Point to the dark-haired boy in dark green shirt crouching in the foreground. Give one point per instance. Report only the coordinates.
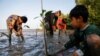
(79, 20)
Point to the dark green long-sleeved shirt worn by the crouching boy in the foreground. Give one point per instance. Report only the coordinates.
(80, 36)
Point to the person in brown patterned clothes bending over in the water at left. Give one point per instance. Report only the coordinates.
(14, 24)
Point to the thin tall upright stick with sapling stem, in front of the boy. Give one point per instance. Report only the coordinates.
(45, 43)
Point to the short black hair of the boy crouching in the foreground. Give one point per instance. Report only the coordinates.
(79, 10)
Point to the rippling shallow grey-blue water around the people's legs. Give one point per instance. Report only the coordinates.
(33, 46)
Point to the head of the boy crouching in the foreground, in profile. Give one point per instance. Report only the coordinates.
(78, 15)
